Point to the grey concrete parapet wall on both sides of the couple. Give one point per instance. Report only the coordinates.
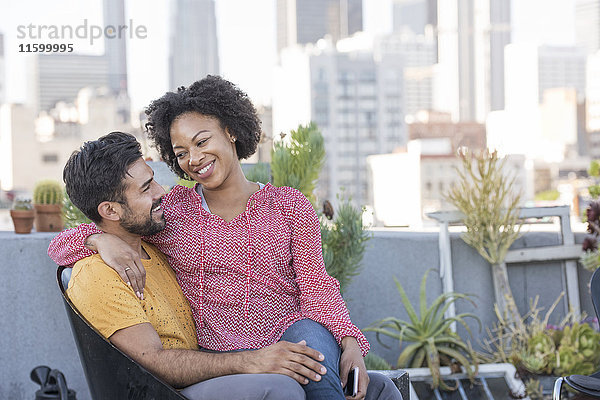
(35, 329)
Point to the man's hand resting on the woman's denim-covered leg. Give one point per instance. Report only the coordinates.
(295, 360)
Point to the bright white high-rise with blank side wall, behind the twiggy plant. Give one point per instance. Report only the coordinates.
(545, 88)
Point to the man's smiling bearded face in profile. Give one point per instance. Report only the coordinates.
(142, 214)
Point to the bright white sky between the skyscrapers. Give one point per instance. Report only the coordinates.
(246, 34)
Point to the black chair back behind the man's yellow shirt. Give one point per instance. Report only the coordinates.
(110, 373)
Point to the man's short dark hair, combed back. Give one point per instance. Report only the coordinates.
(96, 172)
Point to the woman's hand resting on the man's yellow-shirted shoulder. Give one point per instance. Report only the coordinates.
(122, 258)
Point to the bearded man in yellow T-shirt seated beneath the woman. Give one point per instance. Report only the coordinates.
(110, 183)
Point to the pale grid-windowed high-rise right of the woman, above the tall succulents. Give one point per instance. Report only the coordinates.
(356, 101)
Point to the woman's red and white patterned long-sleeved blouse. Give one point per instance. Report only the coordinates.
(249, 279)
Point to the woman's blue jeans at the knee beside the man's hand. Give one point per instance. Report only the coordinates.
(319, 338)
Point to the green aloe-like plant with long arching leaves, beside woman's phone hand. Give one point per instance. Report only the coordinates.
(432, 342)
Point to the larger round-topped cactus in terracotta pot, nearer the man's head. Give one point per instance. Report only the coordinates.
(47, 201)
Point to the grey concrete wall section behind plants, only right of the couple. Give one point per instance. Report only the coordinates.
(372, 295)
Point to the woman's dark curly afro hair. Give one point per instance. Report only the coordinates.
(212, 96)
